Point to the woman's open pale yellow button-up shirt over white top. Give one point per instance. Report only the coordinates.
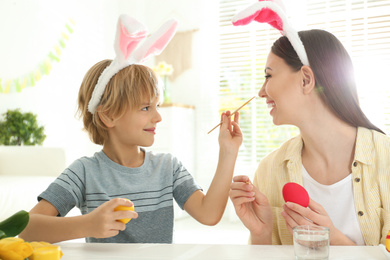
(370, 177)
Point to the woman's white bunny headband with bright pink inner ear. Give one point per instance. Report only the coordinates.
(271, 12)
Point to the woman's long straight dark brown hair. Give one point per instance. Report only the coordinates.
(333, 71)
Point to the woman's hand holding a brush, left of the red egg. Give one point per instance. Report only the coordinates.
(253, 208)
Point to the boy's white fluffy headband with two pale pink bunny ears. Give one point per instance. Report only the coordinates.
(129, 34)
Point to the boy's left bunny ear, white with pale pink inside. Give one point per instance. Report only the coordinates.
(129, 33)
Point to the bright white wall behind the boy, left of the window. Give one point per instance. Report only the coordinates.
(30, 29)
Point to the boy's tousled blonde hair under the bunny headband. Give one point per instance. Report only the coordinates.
(126, 90)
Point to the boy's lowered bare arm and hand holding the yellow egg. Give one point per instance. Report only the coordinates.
(44, 225)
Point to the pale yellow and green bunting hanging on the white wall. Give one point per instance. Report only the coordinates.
(18, 83)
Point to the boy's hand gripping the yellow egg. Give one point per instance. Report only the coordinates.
(105, 222)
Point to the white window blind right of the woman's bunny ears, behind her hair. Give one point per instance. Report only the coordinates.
(363, 26)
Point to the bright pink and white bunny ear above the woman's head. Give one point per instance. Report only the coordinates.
(262, 12)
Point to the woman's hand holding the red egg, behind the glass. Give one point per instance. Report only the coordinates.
(313, 215)
